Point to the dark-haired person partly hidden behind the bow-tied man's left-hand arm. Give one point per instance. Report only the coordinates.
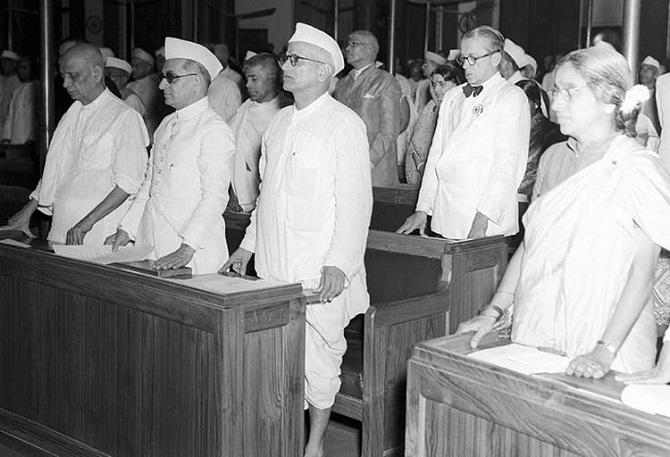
(444, 78)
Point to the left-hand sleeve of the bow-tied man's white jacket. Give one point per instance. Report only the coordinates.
(428, 190)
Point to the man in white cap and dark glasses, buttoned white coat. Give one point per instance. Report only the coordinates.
(179, 206)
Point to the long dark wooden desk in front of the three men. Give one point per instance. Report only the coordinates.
(133, 365)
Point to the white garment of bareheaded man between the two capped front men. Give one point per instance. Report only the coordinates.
(248, 125)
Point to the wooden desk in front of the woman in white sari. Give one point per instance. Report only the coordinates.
(461, 407)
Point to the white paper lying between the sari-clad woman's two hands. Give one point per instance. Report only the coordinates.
(523, 359)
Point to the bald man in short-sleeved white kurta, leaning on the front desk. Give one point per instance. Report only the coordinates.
(96, 159)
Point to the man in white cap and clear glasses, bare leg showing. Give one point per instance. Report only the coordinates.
(312, 216)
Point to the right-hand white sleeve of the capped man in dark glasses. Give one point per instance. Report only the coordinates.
(215, 165)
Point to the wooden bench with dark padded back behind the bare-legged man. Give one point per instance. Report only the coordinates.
(420, 288)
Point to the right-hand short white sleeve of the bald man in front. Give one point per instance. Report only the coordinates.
(130, 153)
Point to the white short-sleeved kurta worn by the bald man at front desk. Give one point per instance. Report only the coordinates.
(94, 148)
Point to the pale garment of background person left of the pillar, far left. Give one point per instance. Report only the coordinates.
(21, 123)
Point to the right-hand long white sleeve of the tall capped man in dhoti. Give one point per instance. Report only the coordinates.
(353, 200)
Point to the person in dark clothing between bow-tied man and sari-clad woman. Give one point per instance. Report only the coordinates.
(543, 133)
